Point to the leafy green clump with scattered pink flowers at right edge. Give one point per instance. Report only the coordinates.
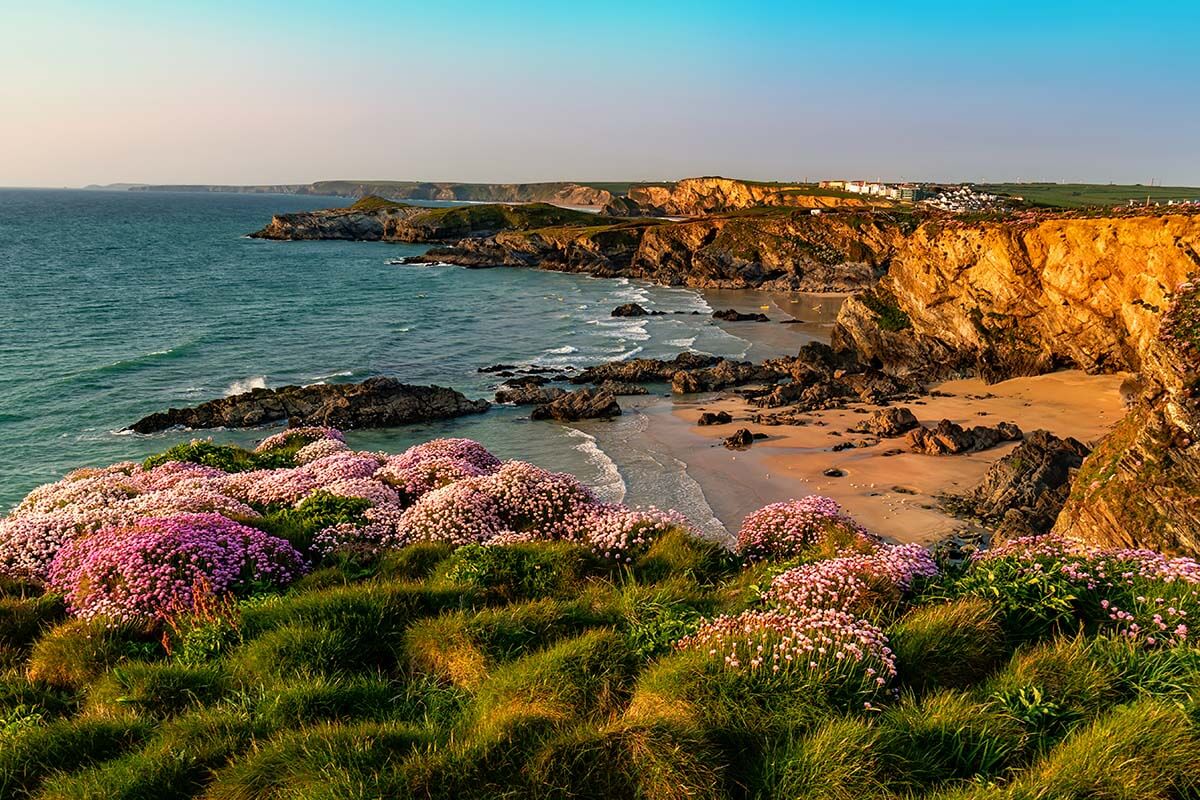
(1139, 594)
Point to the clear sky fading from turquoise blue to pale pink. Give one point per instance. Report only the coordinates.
(280, 93)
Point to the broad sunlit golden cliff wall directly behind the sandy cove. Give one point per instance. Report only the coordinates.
(1005, 299)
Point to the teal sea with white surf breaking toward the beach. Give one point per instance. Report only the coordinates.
(115, 305)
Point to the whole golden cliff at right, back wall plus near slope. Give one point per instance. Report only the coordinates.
(1107, 294)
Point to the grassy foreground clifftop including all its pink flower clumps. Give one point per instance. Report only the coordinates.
(470, 629)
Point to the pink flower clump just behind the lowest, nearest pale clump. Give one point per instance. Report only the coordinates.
(856, 585)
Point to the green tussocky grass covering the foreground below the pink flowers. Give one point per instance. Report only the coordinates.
(536, 671)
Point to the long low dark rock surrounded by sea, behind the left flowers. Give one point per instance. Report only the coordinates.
(374, 404)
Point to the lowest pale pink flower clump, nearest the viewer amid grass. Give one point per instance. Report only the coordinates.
(819, 648)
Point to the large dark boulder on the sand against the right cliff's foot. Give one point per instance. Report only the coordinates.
(1025, 491)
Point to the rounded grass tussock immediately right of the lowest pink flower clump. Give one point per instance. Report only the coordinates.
(955, 645)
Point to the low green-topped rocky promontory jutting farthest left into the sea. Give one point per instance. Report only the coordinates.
(374, 219)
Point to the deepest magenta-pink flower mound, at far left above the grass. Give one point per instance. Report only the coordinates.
(137, 573)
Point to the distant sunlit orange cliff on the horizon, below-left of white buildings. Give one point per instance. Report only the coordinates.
(700, 196)
